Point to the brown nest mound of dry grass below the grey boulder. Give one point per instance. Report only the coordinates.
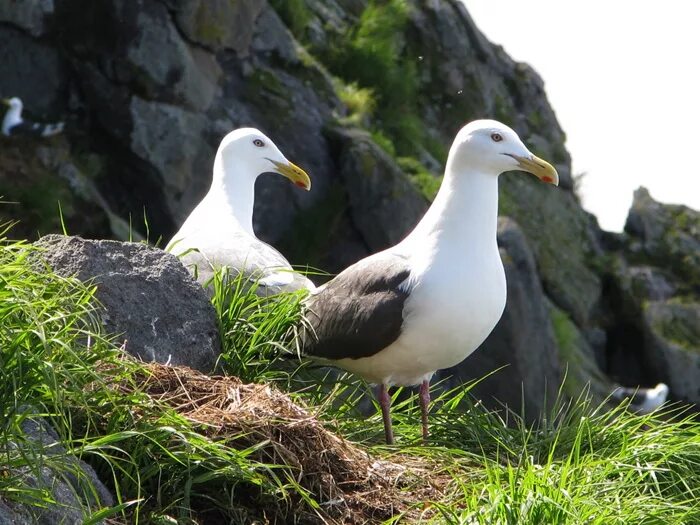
(351, 486)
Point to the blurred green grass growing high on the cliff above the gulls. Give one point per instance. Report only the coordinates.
(376, 79)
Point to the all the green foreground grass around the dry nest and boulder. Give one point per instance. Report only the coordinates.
(580, 464)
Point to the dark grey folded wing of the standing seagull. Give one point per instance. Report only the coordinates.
(359, 312)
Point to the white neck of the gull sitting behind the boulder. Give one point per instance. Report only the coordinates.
(235, 194)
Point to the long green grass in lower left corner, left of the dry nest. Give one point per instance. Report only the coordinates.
(55, 364)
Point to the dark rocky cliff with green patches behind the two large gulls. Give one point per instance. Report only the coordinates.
(367, 97)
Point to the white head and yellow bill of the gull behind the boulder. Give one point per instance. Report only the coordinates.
(249, 152)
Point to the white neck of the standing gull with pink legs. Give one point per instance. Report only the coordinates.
(464, 212)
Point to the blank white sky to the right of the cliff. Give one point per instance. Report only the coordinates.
(623, 77)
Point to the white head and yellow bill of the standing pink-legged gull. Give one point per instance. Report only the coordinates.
(489, 146)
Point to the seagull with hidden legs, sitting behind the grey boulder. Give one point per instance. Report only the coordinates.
(219, 231)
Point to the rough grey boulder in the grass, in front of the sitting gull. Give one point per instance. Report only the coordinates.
(147, 296)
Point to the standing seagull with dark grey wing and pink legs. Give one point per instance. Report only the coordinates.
(398, 316)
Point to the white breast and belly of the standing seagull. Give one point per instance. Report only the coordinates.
(454, 304)
